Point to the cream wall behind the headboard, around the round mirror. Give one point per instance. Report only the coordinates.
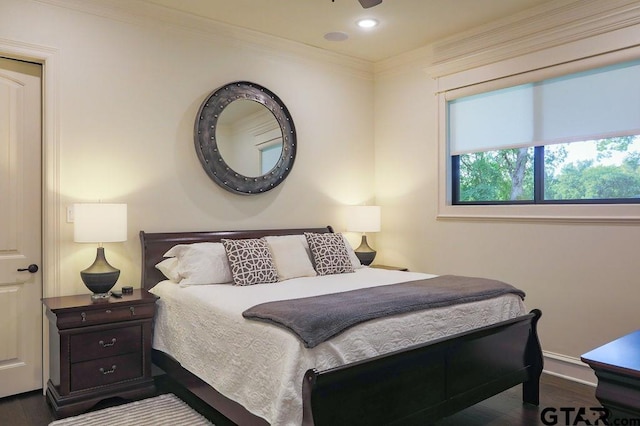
(128, 88)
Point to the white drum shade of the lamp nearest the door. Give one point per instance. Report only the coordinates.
(99, 223)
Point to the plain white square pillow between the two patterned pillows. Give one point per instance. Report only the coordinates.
(291, 257)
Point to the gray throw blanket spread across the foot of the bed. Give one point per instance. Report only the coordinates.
(318, 318)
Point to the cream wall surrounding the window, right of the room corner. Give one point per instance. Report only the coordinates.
(582, 275)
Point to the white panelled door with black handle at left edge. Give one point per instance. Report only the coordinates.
(20, 227)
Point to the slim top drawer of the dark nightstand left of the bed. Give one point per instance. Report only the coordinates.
(107, 315)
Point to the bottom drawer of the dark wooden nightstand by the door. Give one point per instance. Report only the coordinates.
(105, 371)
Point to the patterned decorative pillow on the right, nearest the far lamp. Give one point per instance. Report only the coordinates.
(330, 255)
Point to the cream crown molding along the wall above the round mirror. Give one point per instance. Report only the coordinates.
(142, 13)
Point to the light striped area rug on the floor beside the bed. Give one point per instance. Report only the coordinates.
(163, 410)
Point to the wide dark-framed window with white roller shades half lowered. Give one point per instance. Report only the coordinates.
(570, 139)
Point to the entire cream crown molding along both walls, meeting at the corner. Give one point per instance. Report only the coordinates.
(542, 27)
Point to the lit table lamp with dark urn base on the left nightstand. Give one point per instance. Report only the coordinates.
(100, 223)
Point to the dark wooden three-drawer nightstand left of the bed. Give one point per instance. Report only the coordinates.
(99, 350)
